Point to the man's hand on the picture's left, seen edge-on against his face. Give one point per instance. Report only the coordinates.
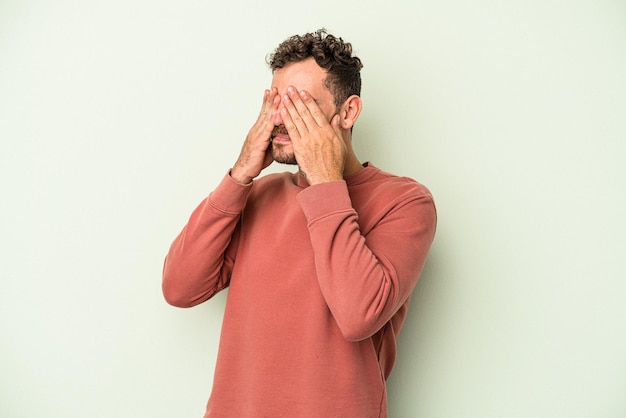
(256, 153)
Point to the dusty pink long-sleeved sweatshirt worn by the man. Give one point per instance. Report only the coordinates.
(319, 281)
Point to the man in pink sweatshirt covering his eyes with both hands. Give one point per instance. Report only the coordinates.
(320, 263)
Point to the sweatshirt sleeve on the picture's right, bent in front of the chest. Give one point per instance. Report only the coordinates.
(366, 279)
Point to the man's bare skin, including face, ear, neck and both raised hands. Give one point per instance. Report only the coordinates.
(300, 123)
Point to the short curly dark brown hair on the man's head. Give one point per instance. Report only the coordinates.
(331, 53)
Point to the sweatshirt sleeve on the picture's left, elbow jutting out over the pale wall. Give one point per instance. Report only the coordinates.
(200, 260)
